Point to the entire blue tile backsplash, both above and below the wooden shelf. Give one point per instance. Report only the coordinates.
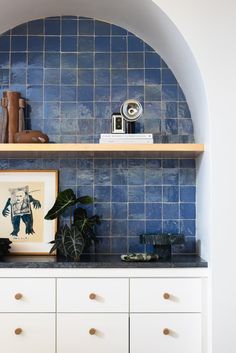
(74, 73)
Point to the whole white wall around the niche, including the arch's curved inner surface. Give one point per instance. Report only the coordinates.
(209, 54)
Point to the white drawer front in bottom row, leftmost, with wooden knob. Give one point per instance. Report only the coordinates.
(37, 336)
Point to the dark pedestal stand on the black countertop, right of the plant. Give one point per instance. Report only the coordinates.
(162, 243)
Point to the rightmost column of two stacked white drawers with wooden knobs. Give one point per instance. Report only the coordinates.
(165, 315)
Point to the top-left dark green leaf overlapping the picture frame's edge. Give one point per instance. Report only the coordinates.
(64, 200)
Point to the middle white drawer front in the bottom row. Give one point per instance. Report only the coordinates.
(100, 333)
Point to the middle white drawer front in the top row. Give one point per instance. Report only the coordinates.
(92, 295)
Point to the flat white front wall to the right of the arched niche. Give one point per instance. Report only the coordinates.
(209, 28)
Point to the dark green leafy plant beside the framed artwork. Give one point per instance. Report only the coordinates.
(72, 239)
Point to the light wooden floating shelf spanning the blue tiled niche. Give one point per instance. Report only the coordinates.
(180, 149)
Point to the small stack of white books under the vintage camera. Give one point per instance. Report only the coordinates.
(126, 138)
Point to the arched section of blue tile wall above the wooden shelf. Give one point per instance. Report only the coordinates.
(75, 72)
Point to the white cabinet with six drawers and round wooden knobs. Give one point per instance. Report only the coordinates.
(103, 310)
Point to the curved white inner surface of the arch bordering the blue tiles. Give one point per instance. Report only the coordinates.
(150, 23)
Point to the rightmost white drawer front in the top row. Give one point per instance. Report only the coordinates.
(165, 295)
